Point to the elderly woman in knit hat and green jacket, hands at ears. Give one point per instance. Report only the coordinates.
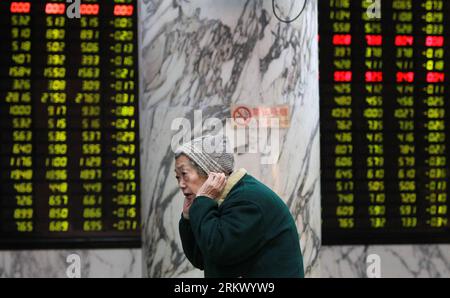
(232, 225)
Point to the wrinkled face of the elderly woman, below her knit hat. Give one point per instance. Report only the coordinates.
(188, 179)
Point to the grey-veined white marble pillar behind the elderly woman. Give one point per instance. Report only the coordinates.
(207, 55)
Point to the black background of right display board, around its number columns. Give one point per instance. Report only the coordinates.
(393, 232)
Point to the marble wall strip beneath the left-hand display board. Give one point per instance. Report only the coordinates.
(117, 263)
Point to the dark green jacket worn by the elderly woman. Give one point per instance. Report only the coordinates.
(250, 234)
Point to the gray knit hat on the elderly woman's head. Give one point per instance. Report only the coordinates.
(211, 153)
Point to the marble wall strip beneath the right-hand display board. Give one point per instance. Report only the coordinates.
(397, 261)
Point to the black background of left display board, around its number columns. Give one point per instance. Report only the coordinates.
(75, 237)
